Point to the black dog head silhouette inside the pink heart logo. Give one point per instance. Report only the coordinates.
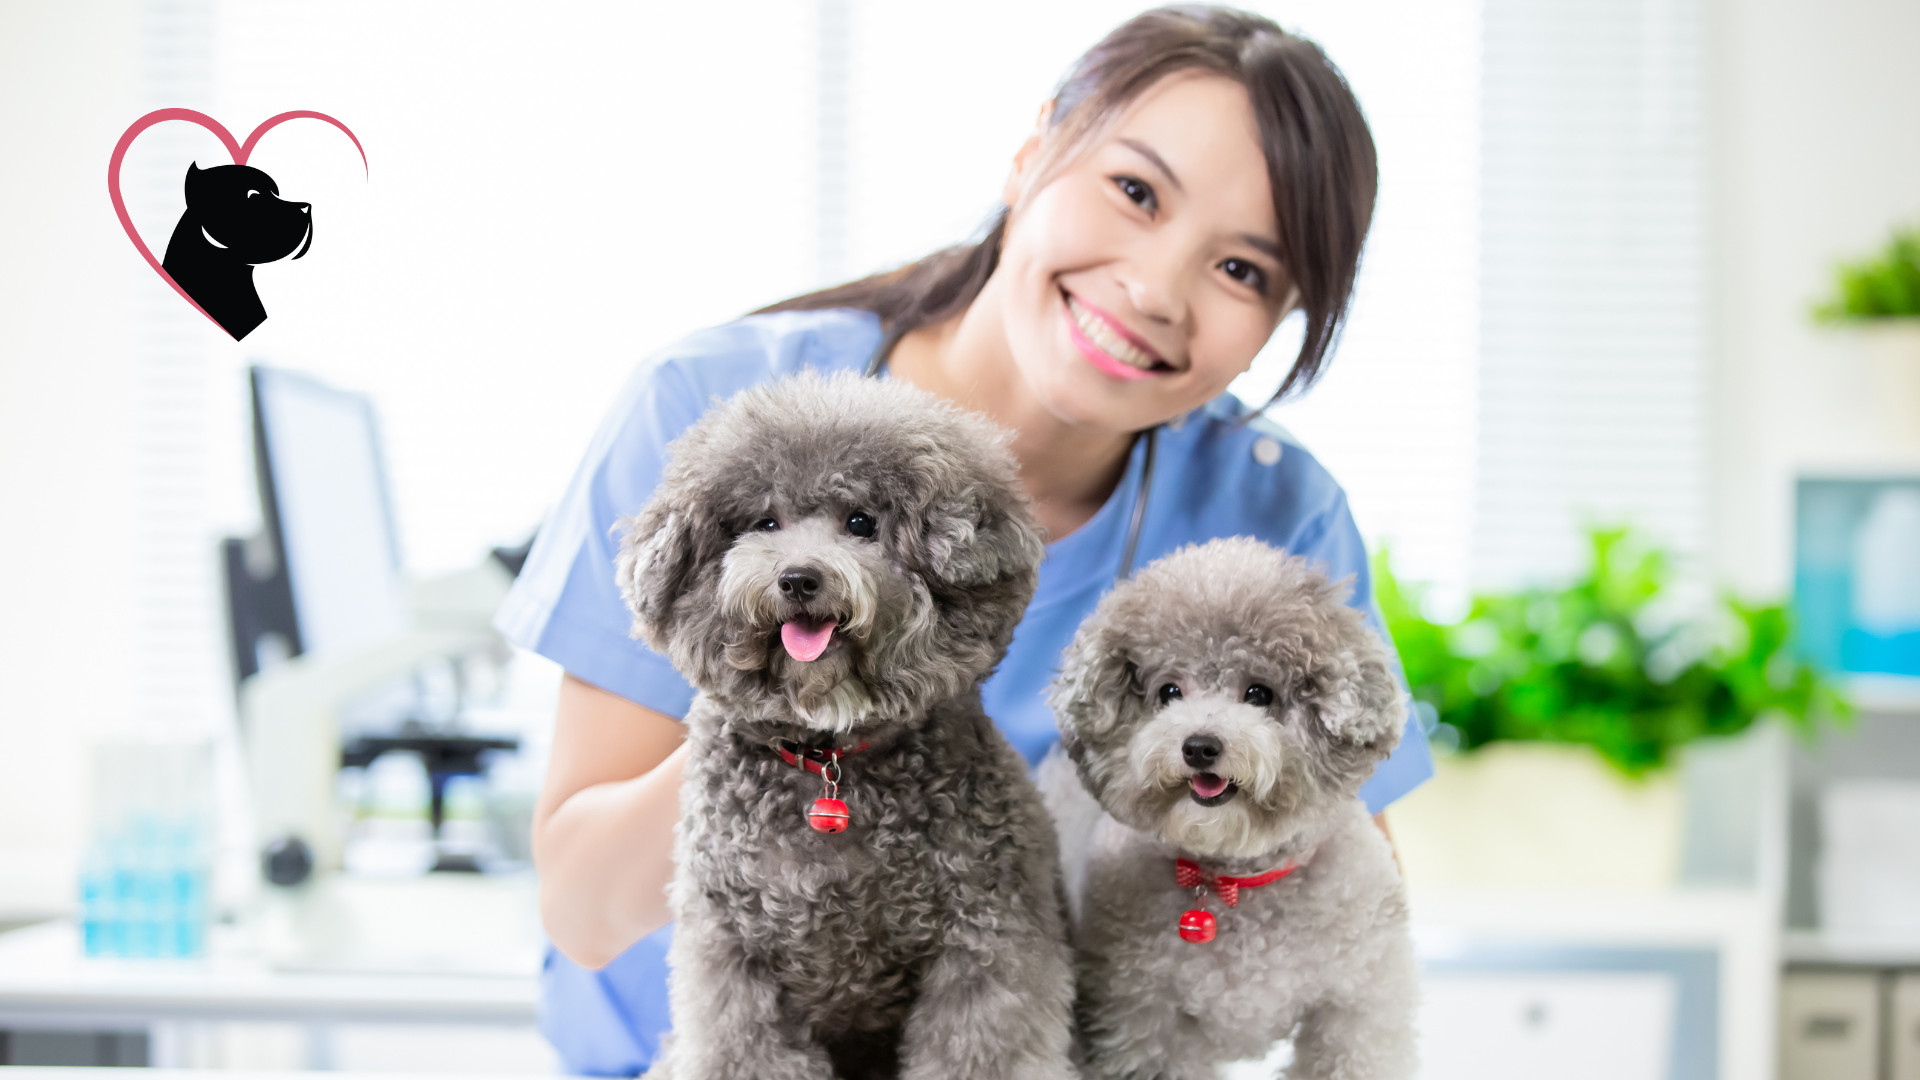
(235, 220)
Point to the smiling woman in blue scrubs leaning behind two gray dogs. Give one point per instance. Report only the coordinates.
(1197, 178)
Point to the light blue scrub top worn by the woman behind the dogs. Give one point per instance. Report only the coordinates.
(1212, 478)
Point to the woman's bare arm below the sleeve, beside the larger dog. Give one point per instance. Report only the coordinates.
(604, 827)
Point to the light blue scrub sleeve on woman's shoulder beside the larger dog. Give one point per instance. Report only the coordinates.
(565, 604)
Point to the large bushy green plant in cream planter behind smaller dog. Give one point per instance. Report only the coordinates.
(1560, 716)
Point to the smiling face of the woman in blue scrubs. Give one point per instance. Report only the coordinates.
(1141, 278)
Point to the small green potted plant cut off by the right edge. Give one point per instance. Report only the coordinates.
(1879, 301)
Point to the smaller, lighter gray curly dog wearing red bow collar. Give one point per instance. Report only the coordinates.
(1224, 708)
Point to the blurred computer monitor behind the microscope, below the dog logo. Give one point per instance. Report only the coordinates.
(325, 572)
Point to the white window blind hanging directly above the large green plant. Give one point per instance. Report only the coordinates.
(1593, 282)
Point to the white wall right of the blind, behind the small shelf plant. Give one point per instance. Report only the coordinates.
(1817, 155)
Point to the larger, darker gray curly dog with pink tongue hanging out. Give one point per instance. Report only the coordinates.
(838, 564)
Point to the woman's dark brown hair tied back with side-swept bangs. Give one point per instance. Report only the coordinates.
(1320, 164)
